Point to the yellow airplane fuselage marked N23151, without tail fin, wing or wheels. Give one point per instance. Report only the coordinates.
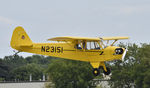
(67, 51)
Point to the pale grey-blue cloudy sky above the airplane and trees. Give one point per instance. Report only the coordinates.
(43, 19)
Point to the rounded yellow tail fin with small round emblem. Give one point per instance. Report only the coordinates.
(20, 39)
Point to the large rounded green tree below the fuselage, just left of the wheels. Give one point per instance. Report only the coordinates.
(70, 74)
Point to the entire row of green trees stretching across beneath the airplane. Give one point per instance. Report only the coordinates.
(133, 72)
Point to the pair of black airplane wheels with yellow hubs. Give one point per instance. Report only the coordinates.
(96, 71)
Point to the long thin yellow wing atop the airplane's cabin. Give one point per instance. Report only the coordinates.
(69, 38)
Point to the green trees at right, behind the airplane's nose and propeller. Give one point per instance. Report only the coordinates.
(135, 70)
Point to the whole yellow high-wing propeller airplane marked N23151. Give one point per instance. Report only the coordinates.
(92, 50)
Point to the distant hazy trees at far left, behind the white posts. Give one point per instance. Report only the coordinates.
(18, 68)
